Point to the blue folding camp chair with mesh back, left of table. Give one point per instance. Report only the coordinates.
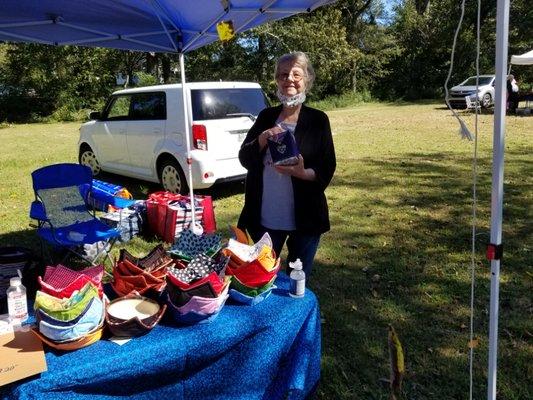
(64, 219)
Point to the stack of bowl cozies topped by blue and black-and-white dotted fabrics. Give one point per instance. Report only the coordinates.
(196, 288)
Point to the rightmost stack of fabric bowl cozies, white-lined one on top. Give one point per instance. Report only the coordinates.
(253, 269)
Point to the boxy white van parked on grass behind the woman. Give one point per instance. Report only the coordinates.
(141, 133)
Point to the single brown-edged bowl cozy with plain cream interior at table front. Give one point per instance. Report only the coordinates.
(133, 315)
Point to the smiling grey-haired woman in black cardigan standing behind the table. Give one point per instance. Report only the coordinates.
(288, 202)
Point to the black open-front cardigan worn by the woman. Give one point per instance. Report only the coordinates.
(313, 136)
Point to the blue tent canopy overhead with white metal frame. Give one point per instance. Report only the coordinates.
(142, 25)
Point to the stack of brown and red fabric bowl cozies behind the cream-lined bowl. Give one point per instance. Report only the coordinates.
(145, 276)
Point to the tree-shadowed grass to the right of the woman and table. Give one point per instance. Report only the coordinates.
(406, 260)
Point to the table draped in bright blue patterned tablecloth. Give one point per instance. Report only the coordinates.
(267, 351)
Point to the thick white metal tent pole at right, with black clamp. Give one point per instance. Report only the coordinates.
(502, 33)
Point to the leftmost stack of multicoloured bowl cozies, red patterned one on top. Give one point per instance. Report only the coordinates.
(70, 307)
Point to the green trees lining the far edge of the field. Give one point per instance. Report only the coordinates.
(363, 48)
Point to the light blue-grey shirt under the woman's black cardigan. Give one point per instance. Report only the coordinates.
(277, 207)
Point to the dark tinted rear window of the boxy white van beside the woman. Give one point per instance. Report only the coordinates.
(226, 103)
